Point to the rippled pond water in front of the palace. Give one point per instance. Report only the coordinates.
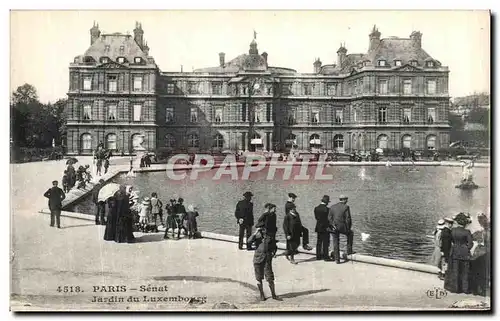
(397, 207)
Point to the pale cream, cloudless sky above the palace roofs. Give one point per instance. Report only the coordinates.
(44, 43)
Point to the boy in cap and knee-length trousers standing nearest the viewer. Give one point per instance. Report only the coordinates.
(265, 250)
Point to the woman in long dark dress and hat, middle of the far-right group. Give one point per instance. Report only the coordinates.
(457, 275)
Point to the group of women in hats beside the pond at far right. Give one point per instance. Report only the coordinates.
(463, 257)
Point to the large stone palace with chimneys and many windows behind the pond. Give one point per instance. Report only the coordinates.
(393, 96)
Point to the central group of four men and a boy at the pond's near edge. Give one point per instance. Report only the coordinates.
(334, 220)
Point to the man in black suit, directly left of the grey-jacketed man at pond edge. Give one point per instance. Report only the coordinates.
(322, 227)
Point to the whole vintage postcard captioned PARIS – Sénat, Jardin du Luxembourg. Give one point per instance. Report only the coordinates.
(250, 160)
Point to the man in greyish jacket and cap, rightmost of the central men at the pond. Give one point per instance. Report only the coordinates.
(340, 220)
